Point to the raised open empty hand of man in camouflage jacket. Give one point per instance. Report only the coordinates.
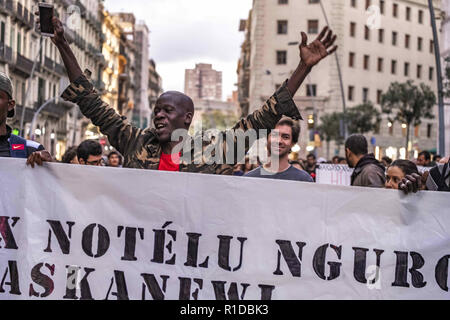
(319, 49)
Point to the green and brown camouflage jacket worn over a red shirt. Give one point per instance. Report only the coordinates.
(141, 148)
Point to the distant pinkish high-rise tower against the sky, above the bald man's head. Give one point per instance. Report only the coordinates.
(203, 82)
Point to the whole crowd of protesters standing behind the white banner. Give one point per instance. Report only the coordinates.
(154, 149)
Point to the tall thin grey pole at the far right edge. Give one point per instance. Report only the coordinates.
(437, 54)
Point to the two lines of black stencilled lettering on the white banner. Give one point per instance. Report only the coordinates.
(290, 259)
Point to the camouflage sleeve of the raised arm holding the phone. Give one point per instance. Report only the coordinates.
(120, 133)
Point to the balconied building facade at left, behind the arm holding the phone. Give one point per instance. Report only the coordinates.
(23, 50)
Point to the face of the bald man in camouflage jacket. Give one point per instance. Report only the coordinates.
(168, 117)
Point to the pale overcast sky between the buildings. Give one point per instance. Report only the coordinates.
(186, 32)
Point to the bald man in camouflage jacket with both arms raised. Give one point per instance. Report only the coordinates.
(144, 149)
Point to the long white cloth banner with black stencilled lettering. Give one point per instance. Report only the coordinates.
(71, 232)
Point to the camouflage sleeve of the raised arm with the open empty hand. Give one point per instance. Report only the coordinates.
(266, 118)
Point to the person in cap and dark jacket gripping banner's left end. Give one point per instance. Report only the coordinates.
(12, 146)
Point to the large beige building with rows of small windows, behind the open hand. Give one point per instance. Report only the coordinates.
(400, 49)
